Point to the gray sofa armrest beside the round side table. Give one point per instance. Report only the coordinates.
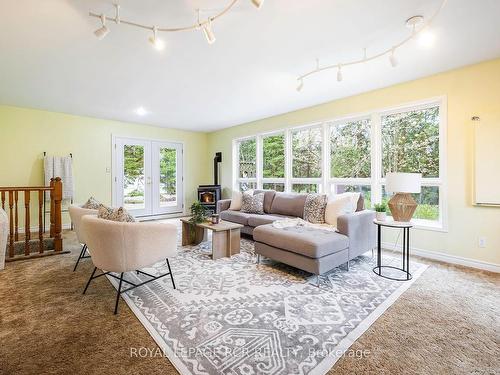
(361, 231)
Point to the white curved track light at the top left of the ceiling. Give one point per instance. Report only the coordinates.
(205, 26)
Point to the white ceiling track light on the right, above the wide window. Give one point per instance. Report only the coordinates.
(418, 28)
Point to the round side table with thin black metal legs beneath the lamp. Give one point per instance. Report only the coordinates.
(406, 248)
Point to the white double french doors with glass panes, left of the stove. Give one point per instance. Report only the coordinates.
(148, 176)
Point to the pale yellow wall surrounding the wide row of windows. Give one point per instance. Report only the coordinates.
(473, 90)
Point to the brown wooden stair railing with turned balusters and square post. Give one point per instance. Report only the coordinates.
(55, 232)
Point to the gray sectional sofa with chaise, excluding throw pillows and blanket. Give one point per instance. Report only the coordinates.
(314, 250)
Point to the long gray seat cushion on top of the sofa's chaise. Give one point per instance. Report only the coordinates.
(310, 242)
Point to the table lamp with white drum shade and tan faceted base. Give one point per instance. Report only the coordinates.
(402, 204)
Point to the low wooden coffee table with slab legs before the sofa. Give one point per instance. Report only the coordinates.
(225, 237)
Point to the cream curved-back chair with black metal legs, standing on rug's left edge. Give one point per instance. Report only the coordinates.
(121, 247)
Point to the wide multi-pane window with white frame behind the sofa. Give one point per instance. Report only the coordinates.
(353, 154)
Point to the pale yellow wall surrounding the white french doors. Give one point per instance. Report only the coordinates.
(26, 133)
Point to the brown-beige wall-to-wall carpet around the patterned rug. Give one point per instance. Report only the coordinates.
(446, 323)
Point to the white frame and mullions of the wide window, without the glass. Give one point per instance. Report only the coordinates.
(375, 181)
